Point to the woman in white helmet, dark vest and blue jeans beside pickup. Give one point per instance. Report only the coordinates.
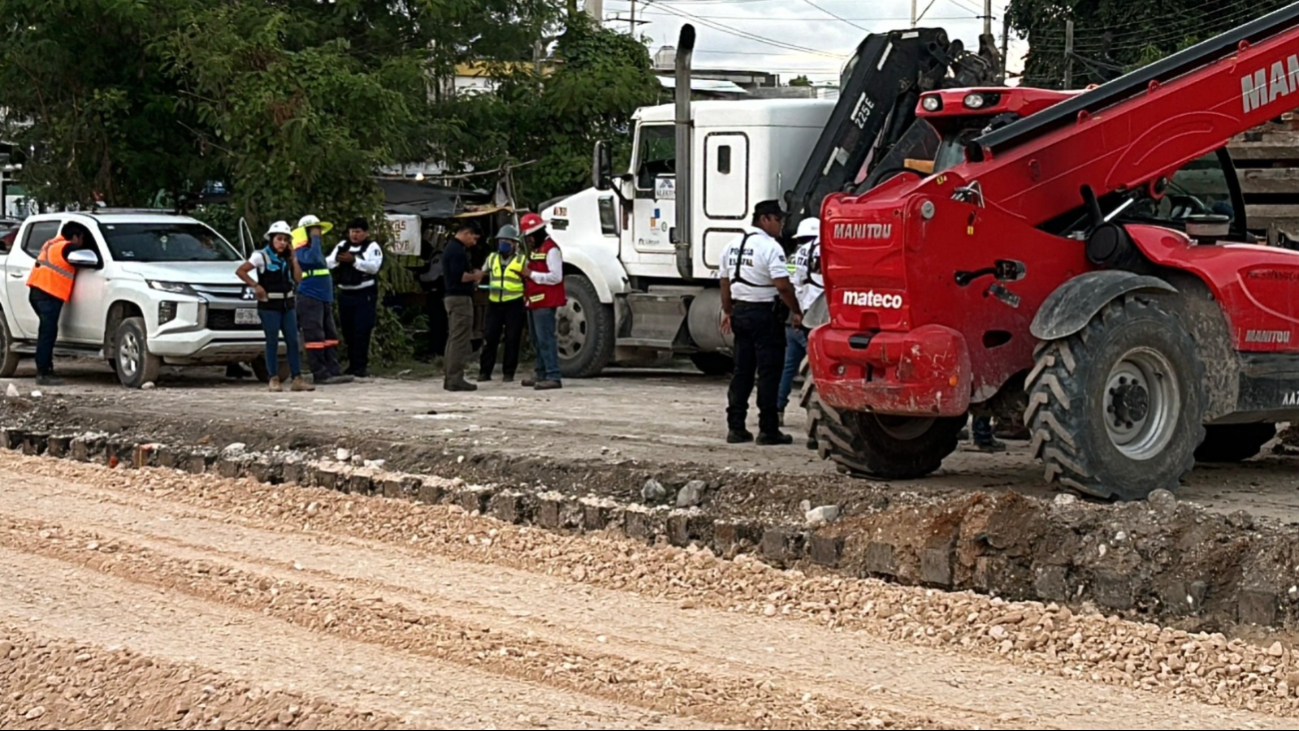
(279, 276)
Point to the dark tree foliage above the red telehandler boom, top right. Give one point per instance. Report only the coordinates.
(1113, 37)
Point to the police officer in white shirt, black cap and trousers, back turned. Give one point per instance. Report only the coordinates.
(757, 301)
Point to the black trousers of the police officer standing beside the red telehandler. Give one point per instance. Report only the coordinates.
(759, 351)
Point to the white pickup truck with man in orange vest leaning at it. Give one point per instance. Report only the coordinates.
(164, 291)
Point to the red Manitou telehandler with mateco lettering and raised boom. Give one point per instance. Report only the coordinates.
(1093, 255)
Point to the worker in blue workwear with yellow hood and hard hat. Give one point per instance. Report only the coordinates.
(316, 302)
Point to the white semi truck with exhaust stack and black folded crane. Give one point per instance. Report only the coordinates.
(641, 249)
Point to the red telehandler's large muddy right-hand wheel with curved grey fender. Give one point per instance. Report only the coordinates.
(1116, 410)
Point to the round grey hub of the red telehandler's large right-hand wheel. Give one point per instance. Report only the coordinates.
(1142, 403)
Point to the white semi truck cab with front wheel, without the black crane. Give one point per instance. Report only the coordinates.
(638, 290)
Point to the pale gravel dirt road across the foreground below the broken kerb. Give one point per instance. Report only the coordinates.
(153, 599)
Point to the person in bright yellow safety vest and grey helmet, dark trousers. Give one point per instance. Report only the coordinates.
(506, 310)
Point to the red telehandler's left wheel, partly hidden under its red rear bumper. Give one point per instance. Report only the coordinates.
(879, 446)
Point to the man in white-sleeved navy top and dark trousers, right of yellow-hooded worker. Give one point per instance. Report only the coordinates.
(355, 263)
